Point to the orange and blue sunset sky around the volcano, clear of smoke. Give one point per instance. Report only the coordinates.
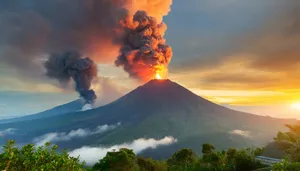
(238, 53)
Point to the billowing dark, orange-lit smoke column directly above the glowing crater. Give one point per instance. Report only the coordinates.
(144, 51)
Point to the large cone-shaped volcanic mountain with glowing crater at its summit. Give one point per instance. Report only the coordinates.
(157, 109)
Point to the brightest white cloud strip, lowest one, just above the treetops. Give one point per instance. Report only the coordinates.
(92, 154)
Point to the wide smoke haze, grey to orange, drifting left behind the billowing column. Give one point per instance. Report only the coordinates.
(34, 28)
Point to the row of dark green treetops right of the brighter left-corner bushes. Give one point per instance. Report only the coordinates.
(182, 160)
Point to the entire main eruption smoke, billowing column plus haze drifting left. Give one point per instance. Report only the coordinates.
(30, 30)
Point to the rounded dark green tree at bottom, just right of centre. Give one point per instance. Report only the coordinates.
(182, 160)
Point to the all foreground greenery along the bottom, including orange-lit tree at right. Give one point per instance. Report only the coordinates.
(44, 158)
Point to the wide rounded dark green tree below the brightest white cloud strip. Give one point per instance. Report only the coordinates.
(122, 160)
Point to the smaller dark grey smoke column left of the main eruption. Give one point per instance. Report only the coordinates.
(69, 65)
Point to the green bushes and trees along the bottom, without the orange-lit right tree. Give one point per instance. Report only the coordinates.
(46, 158)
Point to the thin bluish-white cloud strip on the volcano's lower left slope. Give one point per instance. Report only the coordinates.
(62, 136)
